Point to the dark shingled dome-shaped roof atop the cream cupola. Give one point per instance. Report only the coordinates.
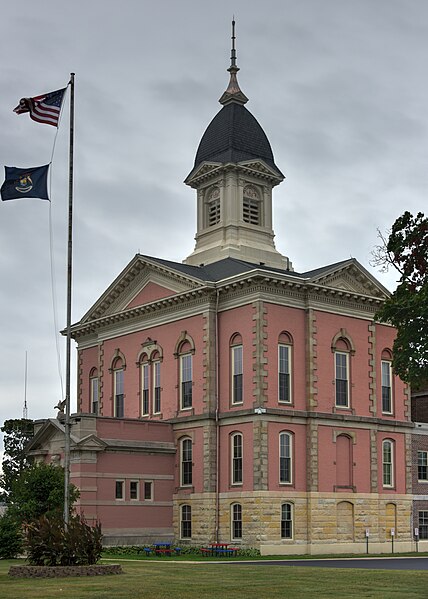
(234, 135)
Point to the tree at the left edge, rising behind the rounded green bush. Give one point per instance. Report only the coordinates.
(17, 433)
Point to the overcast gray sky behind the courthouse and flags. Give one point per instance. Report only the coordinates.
(339, 86)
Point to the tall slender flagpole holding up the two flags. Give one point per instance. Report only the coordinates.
(69, 284)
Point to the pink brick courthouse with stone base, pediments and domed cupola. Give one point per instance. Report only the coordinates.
(229, 397)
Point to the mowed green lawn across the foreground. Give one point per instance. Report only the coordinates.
(180, 580)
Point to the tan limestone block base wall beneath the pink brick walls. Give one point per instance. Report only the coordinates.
(322, 523)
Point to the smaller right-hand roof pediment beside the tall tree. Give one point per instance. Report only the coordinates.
(352, 277)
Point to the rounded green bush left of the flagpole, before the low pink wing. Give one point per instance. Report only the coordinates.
(38, 491)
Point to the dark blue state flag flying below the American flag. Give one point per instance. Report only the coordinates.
(25, 183)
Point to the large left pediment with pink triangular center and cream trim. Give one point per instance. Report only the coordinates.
(143, 281)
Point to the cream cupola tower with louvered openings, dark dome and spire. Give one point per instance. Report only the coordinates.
(234, 174)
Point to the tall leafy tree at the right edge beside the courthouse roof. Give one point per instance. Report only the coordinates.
(407, 309)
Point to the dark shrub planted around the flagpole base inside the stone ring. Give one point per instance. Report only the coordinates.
(49, 542)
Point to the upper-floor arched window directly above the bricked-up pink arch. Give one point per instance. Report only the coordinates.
(342, 348)
